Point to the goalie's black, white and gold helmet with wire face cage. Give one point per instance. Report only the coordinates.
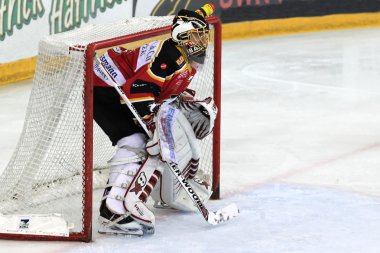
(190, 30)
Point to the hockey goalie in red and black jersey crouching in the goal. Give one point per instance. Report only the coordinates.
(154, 77)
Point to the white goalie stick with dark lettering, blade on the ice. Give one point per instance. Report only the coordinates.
(213, 218)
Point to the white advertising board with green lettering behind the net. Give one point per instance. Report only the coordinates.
(24, 22)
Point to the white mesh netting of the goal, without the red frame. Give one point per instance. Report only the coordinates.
(45, 174)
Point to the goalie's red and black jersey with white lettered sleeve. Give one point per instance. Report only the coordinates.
(151, 73)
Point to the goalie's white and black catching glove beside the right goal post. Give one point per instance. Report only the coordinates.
(201, 115)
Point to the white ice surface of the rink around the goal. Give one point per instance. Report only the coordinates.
(300, 152)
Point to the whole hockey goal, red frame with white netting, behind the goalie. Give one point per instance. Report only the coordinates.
(62, 154)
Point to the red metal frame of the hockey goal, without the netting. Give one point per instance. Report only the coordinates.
(86, 234)
